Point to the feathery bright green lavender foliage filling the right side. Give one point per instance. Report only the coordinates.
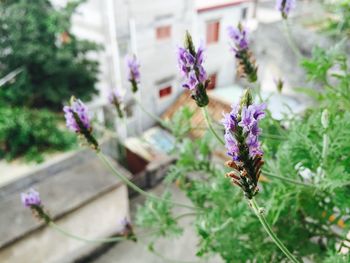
(305, 200)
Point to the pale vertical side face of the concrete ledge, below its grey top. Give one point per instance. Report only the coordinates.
(97, 219)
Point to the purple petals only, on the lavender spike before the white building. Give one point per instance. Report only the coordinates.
(191, 67)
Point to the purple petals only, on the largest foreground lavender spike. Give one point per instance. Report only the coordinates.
(248, 121)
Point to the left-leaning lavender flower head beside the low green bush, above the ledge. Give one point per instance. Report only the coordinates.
(77, 120)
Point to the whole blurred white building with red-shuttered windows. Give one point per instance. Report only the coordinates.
(152, 30)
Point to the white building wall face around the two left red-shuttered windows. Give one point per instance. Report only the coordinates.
(157, 57)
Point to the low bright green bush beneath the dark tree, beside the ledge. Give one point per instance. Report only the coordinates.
(30, 133)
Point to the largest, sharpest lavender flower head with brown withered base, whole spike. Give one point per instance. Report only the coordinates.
(242, 143)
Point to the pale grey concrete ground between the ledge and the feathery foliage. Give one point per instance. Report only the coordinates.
(182, 249)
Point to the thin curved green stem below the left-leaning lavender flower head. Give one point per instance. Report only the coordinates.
(107, 163)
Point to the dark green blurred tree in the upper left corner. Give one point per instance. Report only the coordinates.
(35, 37)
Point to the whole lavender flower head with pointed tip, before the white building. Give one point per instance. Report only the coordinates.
(191, 68)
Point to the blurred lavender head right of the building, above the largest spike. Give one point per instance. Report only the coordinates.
(246, 63)
